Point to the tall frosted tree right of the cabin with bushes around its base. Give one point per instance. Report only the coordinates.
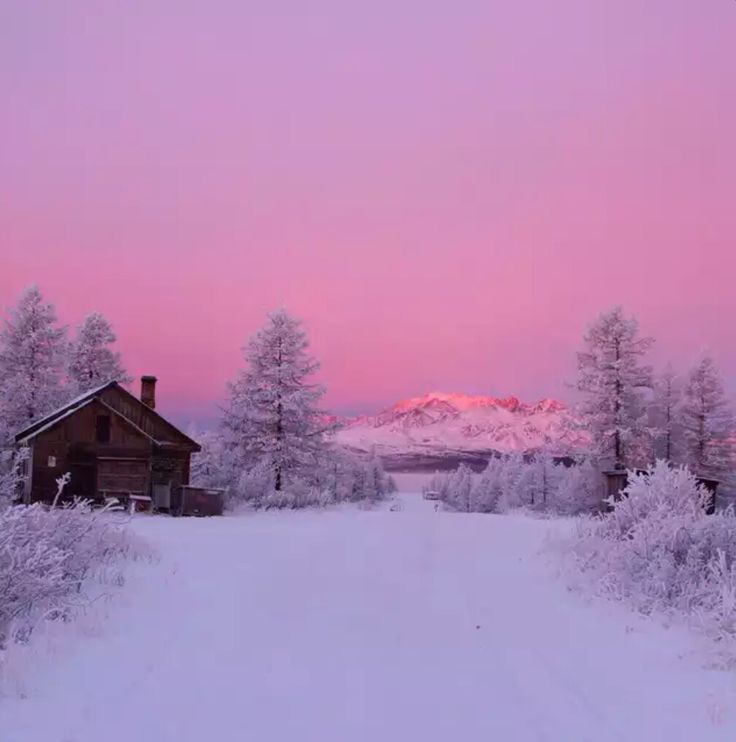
(272, 448)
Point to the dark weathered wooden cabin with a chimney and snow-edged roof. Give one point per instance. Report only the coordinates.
(112, 444)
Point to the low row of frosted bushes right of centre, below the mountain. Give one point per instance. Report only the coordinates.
(513, 481)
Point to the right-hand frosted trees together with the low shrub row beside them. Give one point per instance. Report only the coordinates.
(632, 418)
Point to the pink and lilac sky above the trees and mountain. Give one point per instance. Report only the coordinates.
(446, 193)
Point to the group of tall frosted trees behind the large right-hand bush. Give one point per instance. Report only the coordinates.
(634, 416)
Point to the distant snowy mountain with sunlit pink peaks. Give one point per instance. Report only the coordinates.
(439, 423)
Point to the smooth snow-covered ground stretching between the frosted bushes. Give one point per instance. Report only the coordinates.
(352, 626)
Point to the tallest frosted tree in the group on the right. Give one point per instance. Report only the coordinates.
(613, 378)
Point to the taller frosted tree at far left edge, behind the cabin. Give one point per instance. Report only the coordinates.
(32, 355)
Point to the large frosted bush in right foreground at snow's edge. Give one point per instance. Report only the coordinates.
(659, 550)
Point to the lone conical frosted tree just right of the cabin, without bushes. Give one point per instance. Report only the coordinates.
(272, 416)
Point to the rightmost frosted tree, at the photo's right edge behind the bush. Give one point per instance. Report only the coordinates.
(707, 421)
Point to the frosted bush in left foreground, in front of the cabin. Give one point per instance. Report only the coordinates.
(50, 559)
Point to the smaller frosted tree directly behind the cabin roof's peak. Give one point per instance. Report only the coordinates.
(92, 360)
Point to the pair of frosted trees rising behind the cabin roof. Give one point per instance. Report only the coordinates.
(41, 367)
